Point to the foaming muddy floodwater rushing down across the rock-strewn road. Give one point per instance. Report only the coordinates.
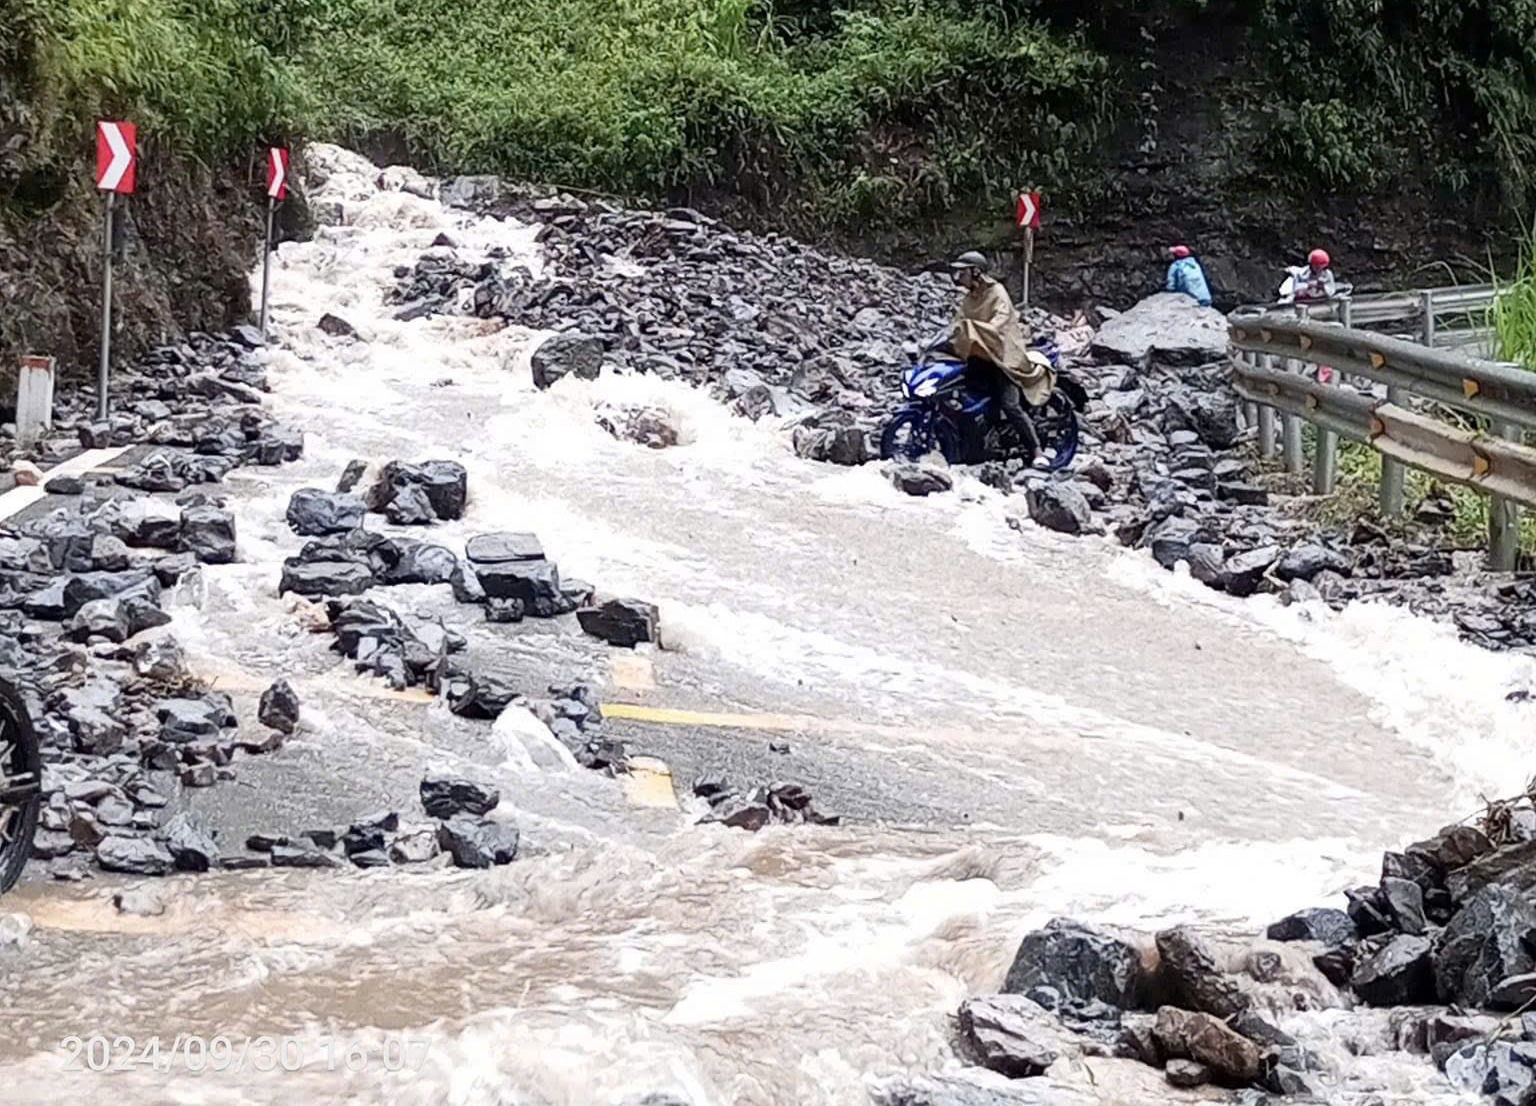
(1142, 752)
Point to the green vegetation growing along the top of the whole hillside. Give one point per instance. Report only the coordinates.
(850, 113)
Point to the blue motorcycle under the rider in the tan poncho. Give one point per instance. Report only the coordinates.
(958, 412)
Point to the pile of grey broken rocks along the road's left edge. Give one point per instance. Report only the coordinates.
(84, 589)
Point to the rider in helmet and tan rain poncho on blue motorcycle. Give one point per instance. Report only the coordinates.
(991, 339)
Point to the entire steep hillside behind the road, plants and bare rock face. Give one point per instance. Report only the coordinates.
(1250, 128)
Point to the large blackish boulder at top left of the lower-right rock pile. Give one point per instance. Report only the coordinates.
(1081, 962)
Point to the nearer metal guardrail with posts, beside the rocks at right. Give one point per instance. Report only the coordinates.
(1505, 397)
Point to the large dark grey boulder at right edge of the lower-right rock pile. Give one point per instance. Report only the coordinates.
(1486, 942)
